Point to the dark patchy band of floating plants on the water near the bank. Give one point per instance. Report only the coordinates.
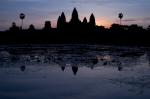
(89, 57)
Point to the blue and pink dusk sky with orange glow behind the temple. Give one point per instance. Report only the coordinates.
(105, 11)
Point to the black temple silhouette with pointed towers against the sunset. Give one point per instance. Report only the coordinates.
(75, 24)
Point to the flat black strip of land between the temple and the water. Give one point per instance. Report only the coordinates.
(109, 37)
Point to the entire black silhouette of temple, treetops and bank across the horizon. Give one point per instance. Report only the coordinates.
(77, 31)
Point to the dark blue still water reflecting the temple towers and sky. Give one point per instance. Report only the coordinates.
(74, 72)
